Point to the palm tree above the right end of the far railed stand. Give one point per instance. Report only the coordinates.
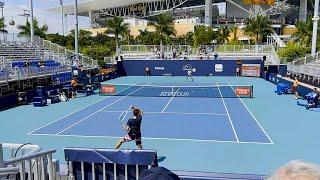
(260, 27)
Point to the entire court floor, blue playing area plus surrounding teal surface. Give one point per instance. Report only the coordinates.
(231, 135)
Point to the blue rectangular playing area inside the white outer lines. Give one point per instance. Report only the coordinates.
(186, 111)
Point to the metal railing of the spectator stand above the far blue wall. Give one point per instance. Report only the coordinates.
(202, 52)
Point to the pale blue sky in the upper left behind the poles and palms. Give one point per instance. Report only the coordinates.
(13, 8)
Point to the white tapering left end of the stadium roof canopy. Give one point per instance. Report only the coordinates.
(90, 5)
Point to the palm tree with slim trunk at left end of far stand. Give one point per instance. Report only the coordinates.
(117, 27)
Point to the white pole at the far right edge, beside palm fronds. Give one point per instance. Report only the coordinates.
(315, 28)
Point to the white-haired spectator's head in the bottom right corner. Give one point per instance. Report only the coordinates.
(296, 170)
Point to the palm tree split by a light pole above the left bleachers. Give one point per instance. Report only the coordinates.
(39, 31)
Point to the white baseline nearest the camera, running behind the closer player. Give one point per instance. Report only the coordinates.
(148, 138)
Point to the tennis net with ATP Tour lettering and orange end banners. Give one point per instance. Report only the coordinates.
(211, 91)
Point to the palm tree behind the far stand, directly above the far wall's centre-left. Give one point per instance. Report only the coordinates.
(164, 28)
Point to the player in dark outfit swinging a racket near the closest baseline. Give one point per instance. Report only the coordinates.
(133, 127)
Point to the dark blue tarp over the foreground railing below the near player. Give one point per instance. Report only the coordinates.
(142, 158)
